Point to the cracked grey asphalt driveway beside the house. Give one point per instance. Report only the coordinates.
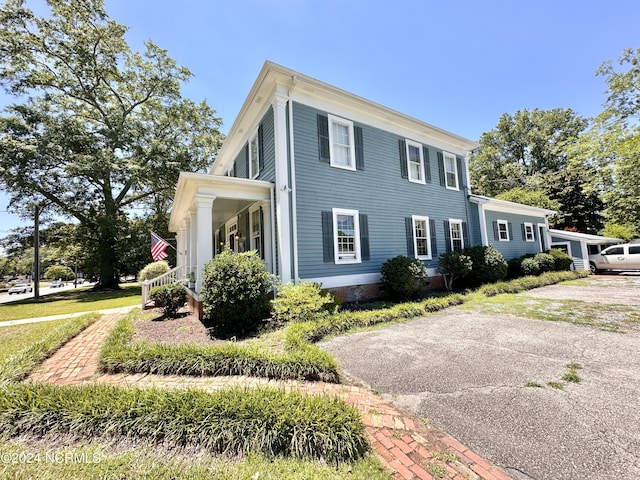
(471, 373)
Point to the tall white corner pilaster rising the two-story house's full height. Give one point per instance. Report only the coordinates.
(283, 188)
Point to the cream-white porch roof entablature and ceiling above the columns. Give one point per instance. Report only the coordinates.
(231, 195)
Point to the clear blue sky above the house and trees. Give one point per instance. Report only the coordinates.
(456, 64)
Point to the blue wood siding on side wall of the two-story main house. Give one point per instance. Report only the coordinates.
(378, 191)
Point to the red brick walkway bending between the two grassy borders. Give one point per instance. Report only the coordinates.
(408, 448)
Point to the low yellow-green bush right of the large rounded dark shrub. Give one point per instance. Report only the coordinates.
(300, 303)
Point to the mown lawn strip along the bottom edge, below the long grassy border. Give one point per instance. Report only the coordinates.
(143, 462)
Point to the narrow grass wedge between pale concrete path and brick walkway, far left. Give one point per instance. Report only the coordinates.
(17, 367)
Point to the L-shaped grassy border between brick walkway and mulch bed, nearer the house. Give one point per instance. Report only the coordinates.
(119, 355)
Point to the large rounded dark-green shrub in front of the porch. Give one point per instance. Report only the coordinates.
(235, 292)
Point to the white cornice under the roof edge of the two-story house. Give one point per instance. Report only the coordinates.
(275, 79)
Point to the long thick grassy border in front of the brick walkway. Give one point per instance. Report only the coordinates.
(232, 421)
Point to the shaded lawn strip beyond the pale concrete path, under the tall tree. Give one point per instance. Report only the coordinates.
(71, 301)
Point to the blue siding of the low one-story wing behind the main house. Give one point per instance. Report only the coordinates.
(516, 246)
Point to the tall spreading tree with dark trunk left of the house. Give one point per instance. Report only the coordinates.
(101, 128)
